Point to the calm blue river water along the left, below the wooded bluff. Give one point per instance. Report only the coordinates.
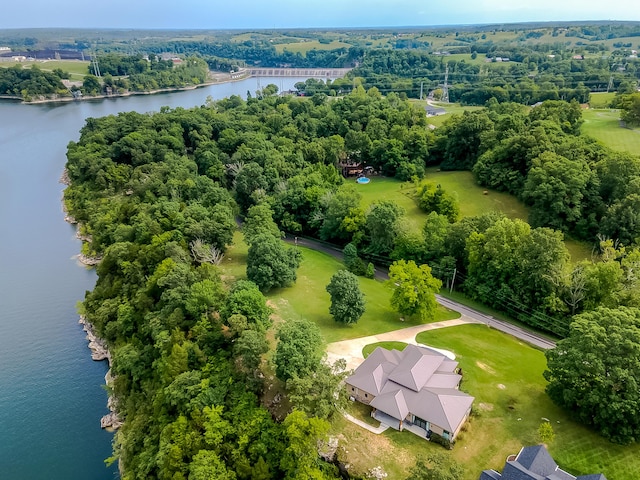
(51, 392)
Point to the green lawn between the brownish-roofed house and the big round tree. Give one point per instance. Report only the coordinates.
(505, 377)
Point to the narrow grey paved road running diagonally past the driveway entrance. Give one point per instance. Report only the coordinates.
(383, 274)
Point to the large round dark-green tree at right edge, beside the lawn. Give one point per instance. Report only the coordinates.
(594, 373)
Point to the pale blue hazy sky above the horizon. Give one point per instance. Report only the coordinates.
(218, 14)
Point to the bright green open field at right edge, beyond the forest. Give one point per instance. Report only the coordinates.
(604, 125)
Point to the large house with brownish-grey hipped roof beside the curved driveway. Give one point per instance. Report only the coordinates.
(416, 389)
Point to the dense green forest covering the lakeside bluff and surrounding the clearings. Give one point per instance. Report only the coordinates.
(157, 196)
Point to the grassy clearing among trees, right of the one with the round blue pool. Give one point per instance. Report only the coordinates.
(472, 198)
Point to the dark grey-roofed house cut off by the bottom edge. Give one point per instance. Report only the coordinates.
(534, 463)
